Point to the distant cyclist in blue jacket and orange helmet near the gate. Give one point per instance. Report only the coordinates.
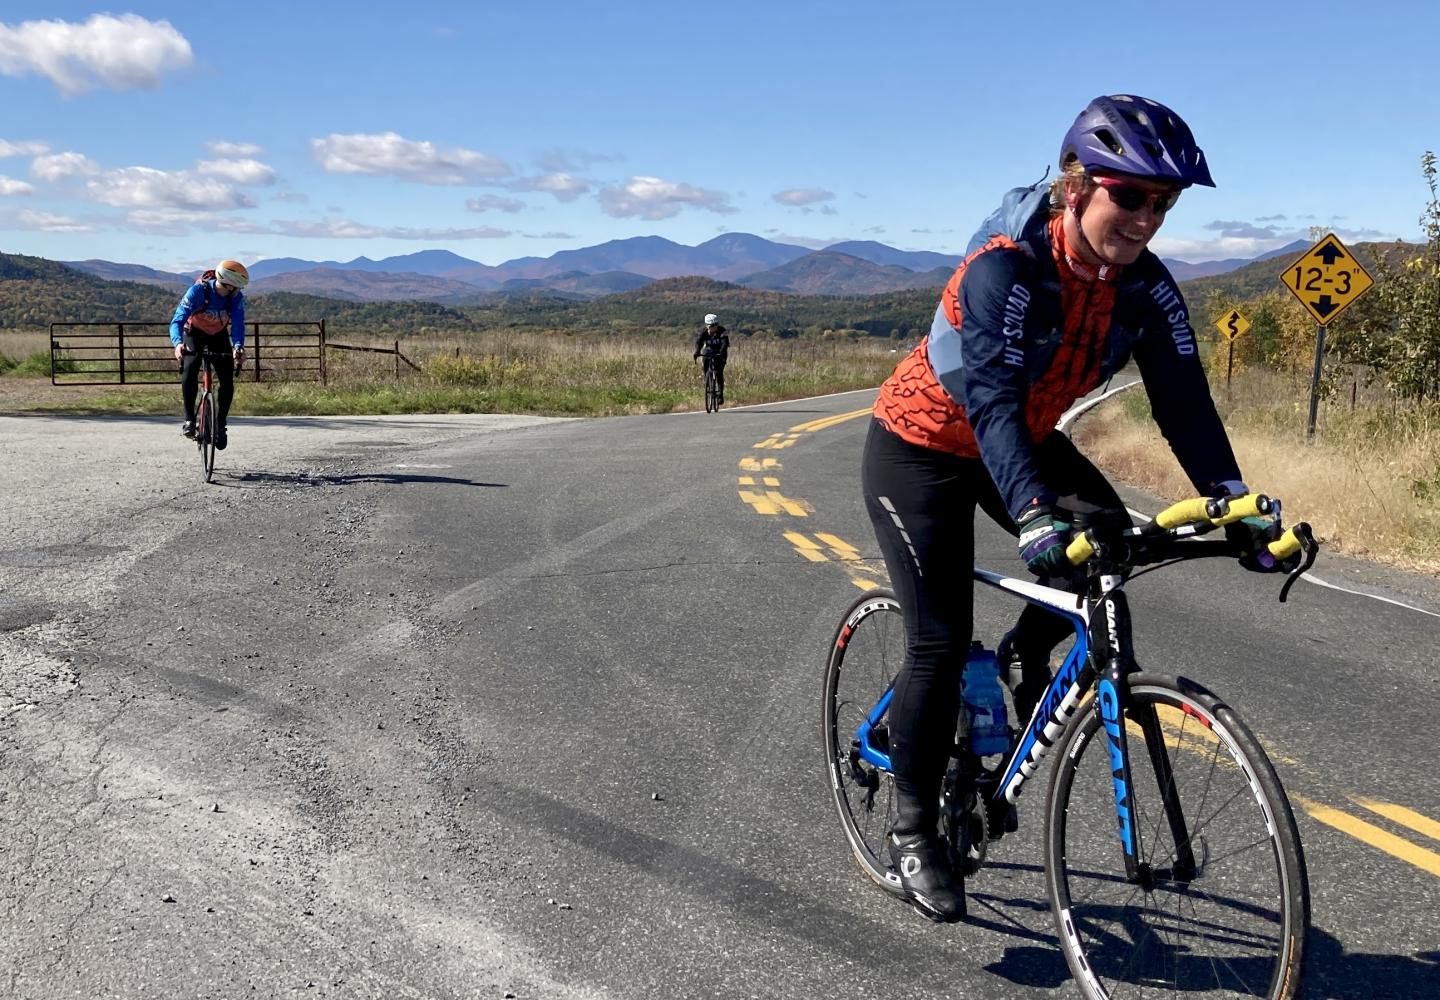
(211, 316)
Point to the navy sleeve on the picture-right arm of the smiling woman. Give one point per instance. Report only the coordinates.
(1180, 396)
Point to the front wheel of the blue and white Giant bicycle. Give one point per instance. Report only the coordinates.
(1249, 897)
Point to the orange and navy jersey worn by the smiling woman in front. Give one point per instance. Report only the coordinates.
(1022, 334)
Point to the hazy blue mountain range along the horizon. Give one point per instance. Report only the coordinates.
(437, 276)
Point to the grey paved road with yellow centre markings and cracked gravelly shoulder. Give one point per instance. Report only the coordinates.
(482, 707)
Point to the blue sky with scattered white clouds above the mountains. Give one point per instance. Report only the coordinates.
(171, 135)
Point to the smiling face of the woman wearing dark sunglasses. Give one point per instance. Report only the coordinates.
(1118, 218)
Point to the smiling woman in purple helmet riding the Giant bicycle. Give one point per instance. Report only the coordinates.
(1056, 295)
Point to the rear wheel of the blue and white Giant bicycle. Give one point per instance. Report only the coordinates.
(862, 665)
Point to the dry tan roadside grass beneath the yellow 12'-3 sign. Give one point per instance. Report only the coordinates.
(1370, 482)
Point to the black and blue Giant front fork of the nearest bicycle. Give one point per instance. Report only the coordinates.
(1111, 648)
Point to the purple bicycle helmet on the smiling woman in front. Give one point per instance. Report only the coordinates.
(1135, 136)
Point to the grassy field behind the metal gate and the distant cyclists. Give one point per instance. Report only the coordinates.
(513, 372)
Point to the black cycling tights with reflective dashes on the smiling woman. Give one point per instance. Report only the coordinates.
(922, 505)
